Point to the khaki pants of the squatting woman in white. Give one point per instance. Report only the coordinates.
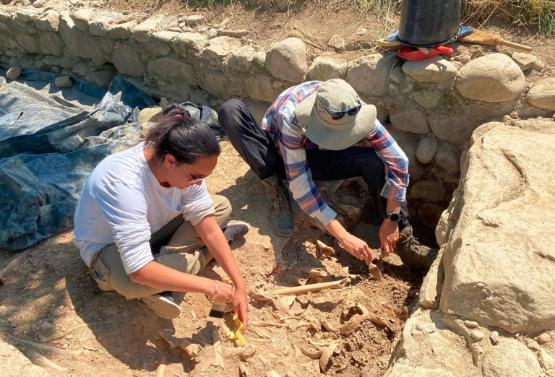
(180, 248)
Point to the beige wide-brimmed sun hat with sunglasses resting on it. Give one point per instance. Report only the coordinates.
(335, 99)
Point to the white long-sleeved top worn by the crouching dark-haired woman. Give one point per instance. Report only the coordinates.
(122, 202)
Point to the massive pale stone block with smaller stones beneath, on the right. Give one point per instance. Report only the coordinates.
(487, 305)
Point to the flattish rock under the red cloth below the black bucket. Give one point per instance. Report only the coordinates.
(434, 69)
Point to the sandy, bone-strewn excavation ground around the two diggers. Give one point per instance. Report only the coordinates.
(53, 312)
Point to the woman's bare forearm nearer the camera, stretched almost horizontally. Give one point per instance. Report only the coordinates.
(156, 275)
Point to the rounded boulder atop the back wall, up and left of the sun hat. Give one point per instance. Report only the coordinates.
(286, 60)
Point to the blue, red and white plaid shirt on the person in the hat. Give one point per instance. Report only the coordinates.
(281, 122)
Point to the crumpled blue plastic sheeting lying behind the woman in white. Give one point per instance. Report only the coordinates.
(50, 140)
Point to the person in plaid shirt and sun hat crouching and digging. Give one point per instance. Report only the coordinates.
(310, 132)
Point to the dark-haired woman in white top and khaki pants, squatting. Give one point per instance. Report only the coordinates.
(145, 215)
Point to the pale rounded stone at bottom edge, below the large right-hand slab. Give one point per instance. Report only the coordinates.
(510, 359)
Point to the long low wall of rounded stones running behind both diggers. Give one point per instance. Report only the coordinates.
(433, 105)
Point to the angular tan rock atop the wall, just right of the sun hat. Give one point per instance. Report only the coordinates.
(369, 74)
